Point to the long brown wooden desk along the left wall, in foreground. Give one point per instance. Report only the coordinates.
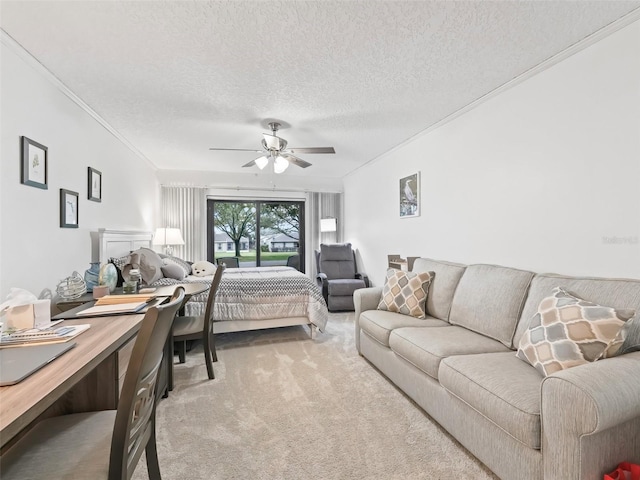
(86, 378)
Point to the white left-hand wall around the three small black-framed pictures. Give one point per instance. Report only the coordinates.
(35, 253)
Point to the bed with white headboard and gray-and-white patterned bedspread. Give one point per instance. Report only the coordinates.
(247, 299)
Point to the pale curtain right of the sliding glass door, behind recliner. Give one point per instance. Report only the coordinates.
(322, 205)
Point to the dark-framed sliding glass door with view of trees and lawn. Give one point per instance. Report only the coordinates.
(255, 233)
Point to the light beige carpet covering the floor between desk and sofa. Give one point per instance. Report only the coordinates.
(283, 406)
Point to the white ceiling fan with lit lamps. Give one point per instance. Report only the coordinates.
(275, 148)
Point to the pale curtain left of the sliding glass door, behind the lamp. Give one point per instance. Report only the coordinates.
(186, 208)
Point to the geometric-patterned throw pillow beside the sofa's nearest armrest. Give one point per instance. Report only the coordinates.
(569, 331)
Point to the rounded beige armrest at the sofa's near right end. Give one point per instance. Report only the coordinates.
(591, 418)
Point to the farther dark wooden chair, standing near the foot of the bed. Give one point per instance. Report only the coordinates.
(199, 327)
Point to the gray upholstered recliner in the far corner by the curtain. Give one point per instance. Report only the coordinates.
(337, 275)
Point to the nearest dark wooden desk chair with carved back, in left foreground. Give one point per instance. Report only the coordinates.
(108, 444)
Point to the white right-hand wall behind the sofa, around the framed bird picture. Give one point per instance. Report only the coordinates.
(544, 176)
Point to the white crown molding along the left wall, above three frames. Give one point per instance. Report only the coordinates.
(33, 62)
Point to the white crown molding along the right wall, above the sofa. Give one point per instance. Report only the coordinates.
(586, 42)
